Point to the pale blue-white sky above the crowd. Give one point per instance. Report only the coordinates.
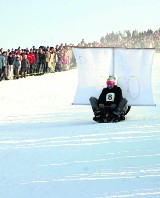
(50, 22)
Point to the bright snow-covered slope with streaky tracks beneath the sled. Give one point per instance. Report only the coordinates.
(50, 148)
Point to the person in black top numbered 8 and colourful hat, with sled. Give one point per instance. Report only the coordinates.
(111, 106)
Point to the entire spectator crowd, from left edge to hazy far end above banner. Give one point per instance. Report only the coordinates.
(16, 63)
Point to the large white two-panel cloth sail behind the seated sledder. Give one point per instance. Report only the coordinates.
(131, 67)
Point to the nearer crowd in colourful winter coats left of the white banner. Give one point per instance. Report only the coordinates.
(16, 63)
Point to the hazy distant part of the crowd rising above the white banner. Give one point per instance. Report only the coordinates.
(128, 39)
